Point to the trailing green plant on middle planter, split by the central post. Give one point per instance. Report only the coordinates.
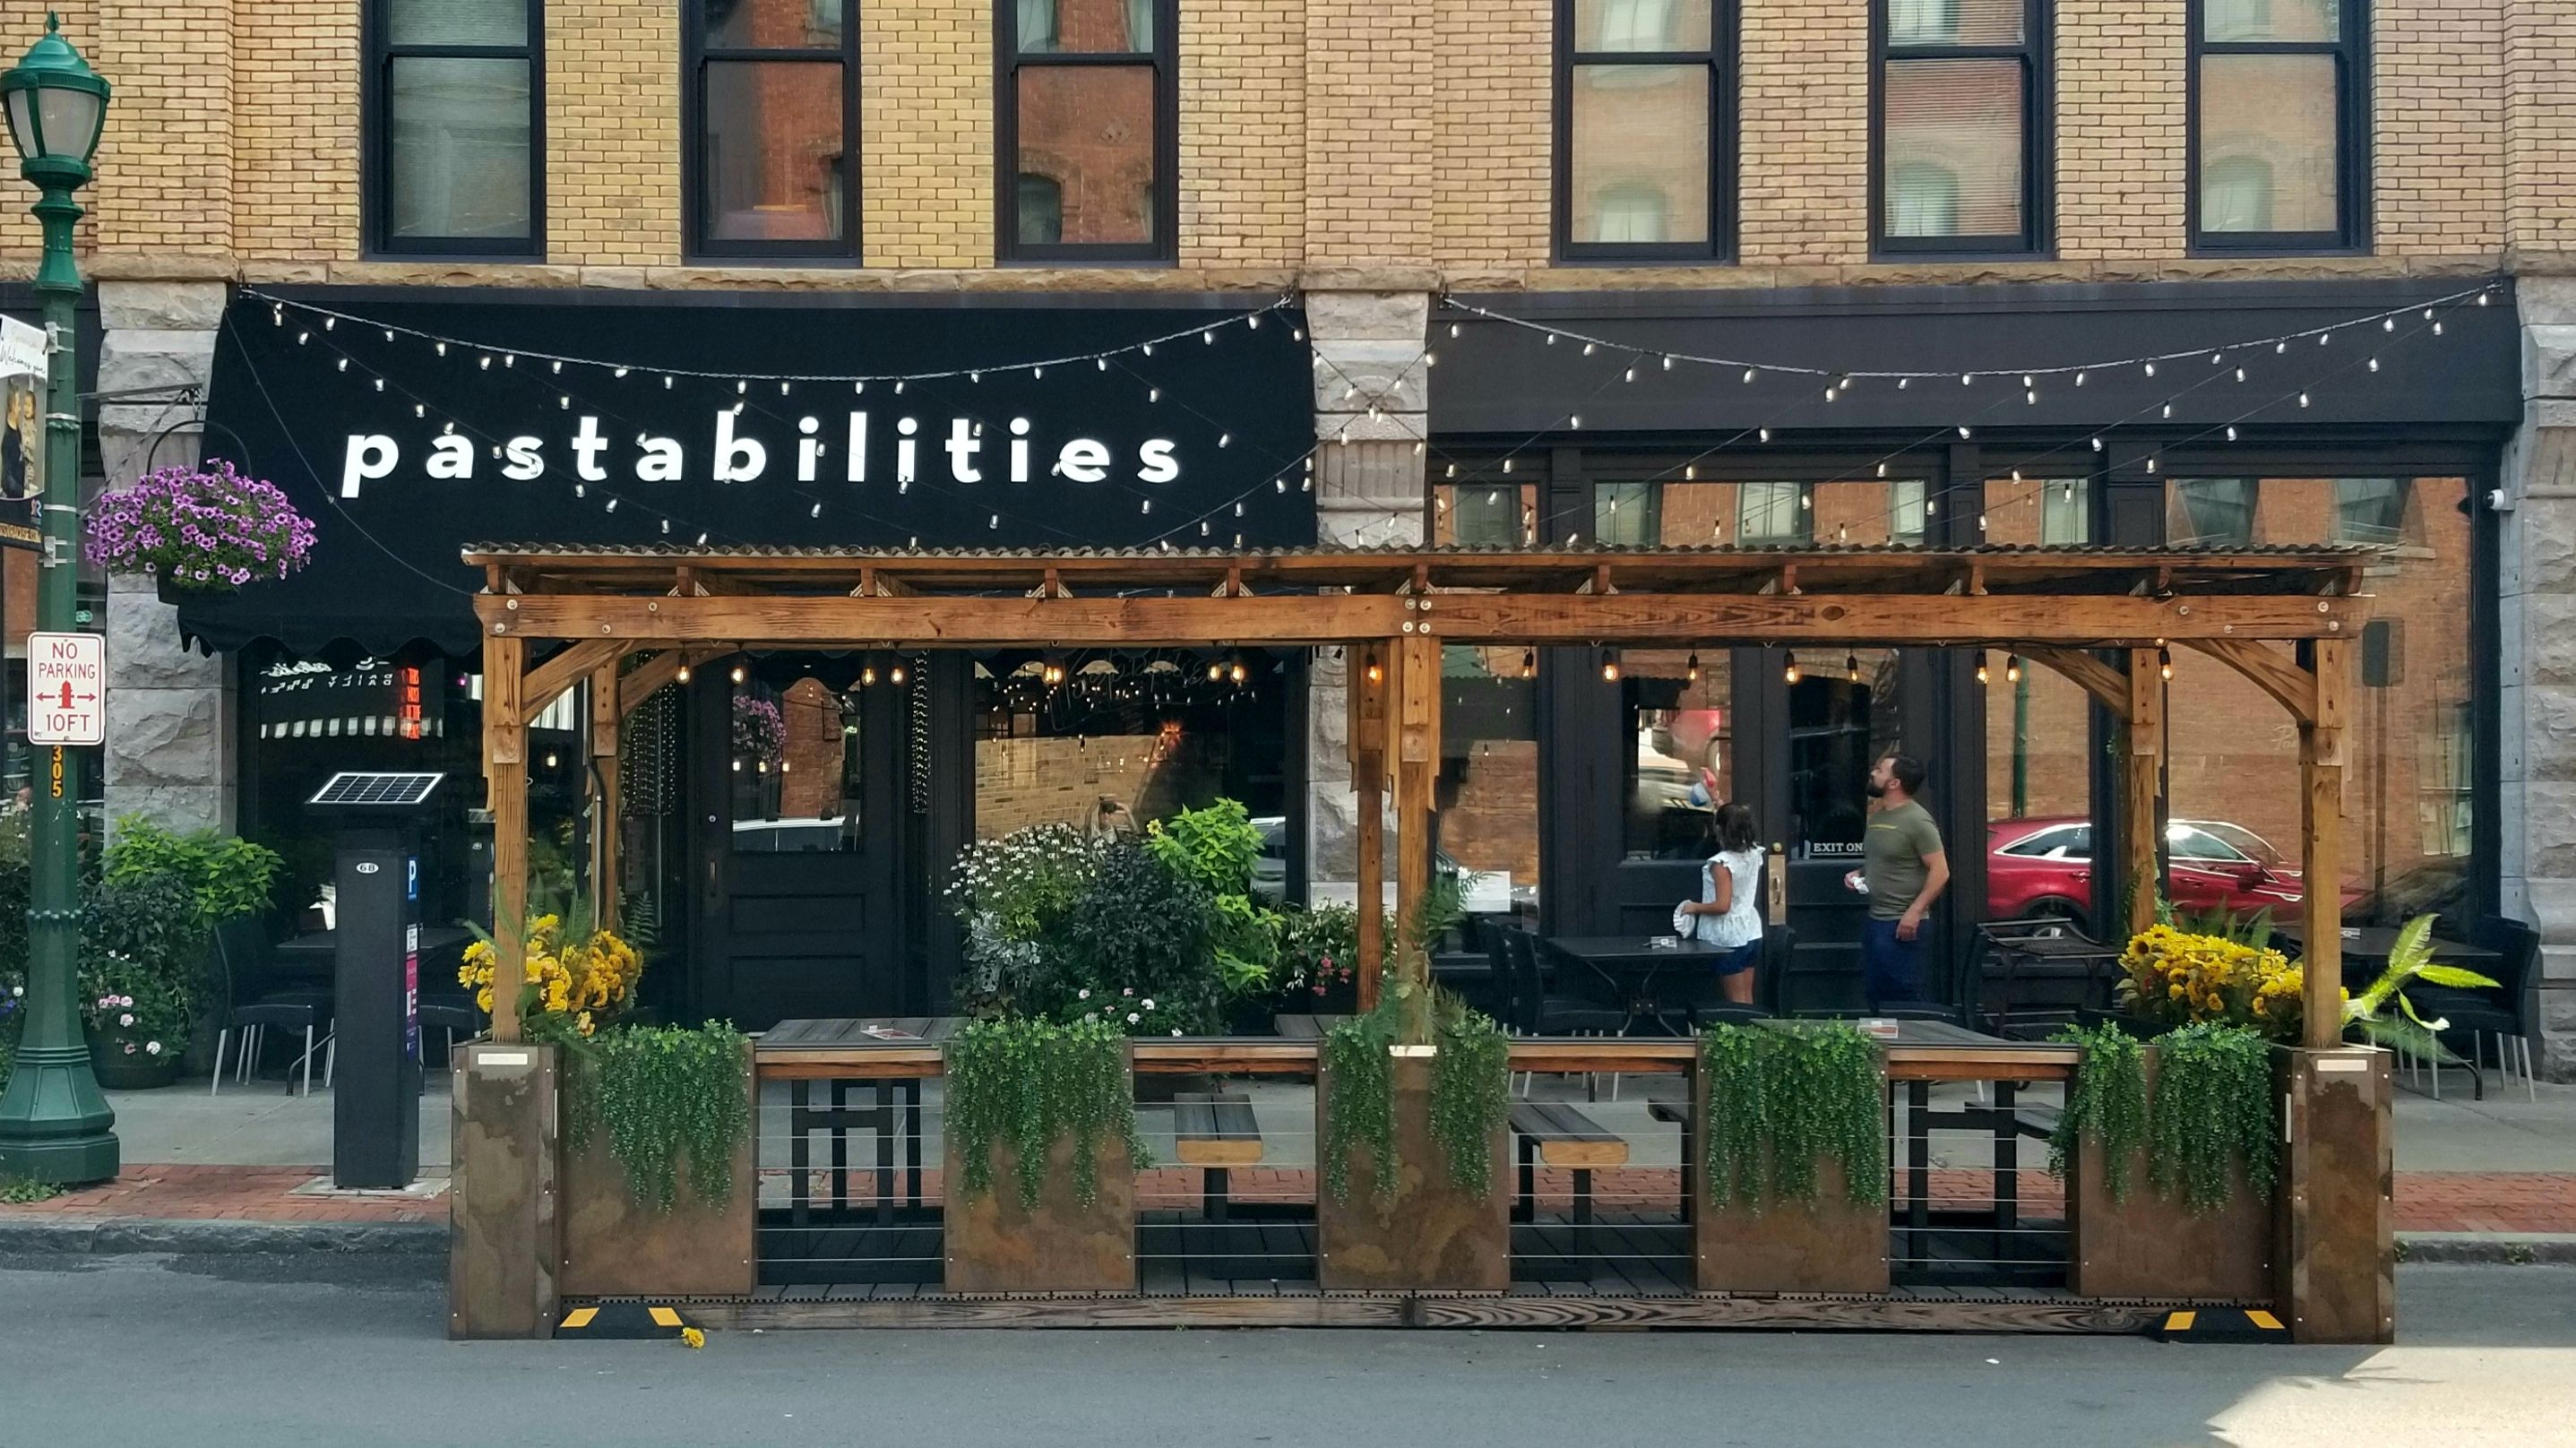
(1472, 1094)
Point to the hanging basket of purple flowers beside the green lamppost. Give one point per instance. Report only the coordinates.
(200, 529)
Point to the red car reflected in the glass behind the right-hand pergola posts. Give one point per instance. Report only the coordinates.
(2044, 867)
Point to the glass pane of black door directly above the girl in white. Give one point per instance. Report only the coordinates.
(1681, 767)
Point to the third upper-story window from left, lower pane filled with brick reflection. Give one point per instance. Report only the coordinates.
(1088, 130)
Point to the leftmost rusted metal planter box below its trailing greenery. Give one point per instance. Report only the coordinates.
(614, 1246)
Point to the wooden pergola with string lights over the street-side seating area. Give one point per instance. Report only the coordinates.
(555, 617)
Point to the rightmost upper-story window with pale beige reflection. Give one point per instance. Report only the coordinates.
(2278, 125)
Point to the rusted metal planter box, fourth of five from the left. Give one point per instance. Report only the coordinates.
(1828, 1246)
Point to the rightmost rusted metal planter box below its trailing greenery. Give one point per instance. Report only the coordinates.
(2160, 1248)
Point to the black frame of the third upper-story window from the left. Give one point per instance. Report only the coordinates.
(1006, 99)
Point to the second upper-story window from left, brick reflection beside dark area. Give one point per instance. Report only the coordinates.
(774, 128)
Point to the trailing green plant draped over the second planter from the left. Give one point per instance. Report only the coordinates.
(1032, 1083)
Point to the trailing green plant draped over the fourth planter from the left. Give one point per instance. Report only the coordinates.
(1789, 1096)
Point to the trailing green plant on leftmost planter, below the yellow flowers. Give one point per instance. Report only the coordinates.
(663, 1094)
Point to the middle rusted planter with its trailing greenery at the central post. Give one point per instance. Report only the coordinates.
(1410, 1114)
